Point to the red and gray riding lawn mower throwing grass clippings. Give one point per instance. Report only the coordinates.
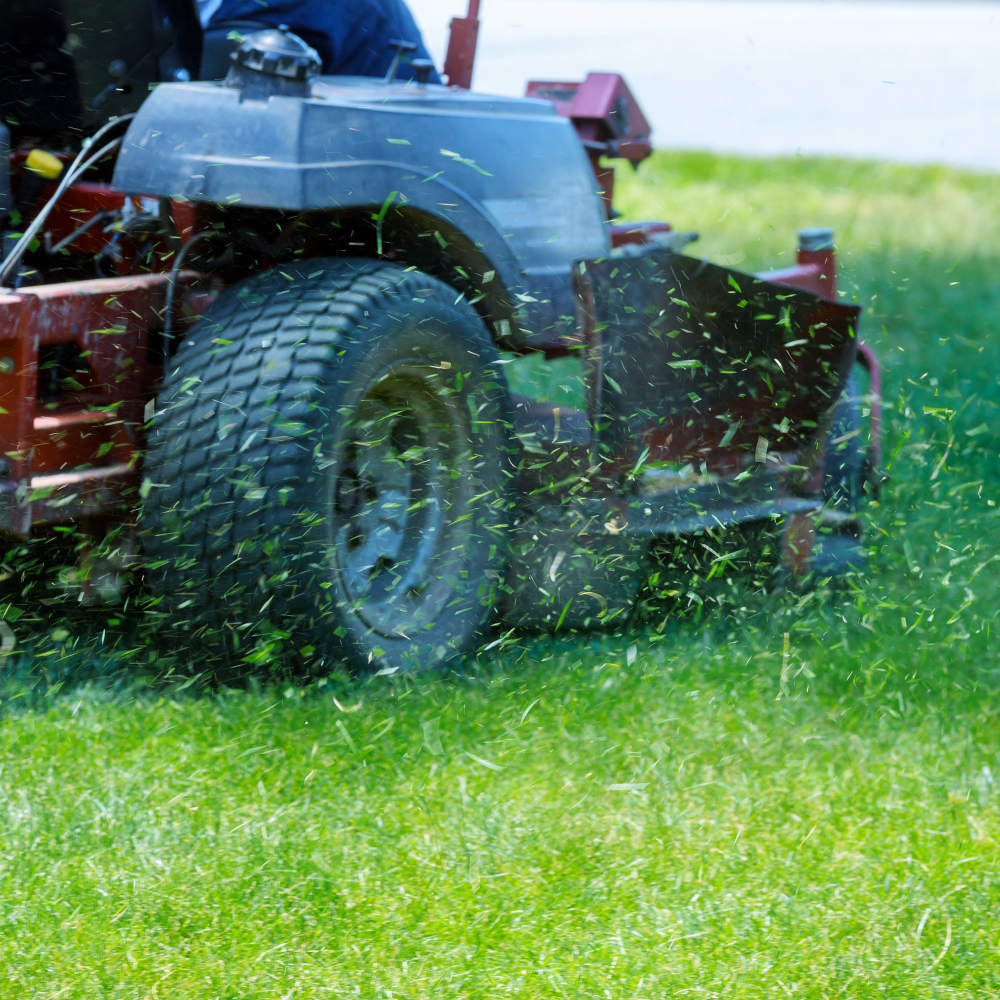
(262, 333)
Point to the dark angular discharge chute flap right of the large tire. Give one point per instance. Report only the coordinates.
(701, 364)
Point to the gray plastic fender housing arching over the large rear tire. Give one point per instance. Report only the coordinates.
(509, 173)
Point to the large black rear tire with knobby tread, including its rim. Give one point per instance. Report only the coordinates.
(334, 460)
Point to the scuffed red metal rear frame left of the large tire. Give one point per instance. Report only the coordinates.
(74, 383)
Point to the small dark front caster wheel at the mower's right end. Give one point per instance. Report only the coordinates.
(839, 547)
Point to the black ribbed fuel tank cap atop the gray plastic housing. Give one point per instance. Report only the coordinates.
(273, 62)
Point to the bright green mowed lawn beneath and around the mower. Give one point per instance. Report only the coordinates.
(765, 796)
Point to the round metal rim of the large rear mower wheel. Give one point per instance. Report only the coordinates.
(403, 479)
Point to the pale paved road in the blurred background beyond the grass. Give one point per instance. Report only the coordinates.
(912, 80)
